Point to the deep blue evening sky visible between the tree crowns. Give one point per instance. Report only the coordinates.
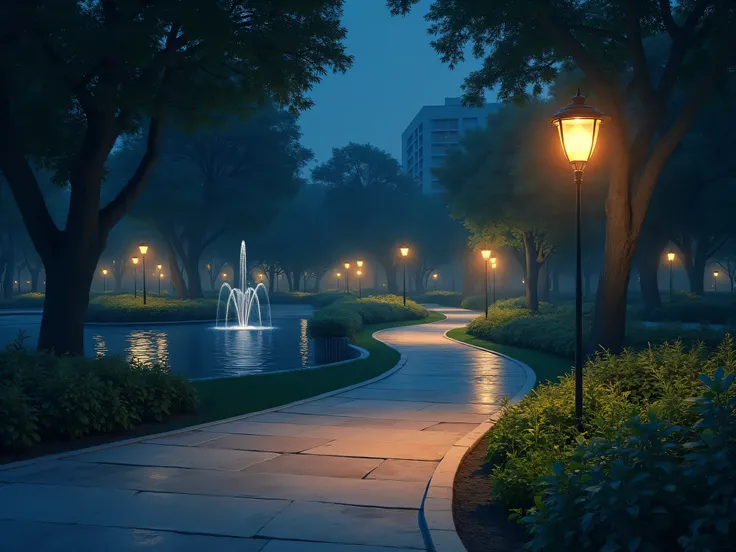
(395, 72)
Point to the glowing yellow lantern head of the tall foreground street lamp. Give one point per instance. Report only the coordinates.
(578, 125)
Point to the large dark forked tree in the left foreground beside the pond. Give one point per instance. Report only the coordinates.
(83, 74)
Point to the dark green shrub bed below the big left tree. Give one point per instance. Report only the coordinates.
(44, 397)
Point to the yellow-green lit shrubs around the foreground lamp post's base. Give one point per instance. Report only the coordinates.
(542, 429)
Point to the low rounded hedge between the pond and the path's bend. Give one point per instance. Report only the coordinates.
(345, 318)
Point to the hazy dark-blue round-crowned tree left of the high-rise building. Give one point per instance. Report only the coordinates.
(370, 198)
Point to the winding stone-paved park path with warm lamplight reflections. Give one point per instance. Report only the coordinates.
(345, 473)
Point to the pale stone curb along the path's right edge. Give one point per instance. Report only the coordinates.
(435, 515)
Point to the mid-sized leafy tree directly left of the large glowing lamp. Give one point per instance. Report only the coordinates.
(510, 191)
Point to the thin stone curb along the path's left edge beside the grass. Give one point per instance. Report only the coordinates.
(32, 461)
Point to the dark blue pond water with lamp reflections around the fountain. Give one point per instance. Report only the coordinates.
(195, 350)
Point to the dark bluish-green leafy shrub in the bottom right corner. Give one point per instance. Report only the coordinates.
(657, 487)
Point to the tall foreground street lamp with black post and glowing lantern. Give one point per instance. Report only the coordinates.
(578, 125)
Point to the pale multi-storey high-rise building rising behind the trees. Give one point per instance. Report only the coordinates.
(435, 130)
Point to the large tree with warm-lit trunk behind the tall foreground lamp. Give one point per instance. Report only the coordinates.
(526, 43)
